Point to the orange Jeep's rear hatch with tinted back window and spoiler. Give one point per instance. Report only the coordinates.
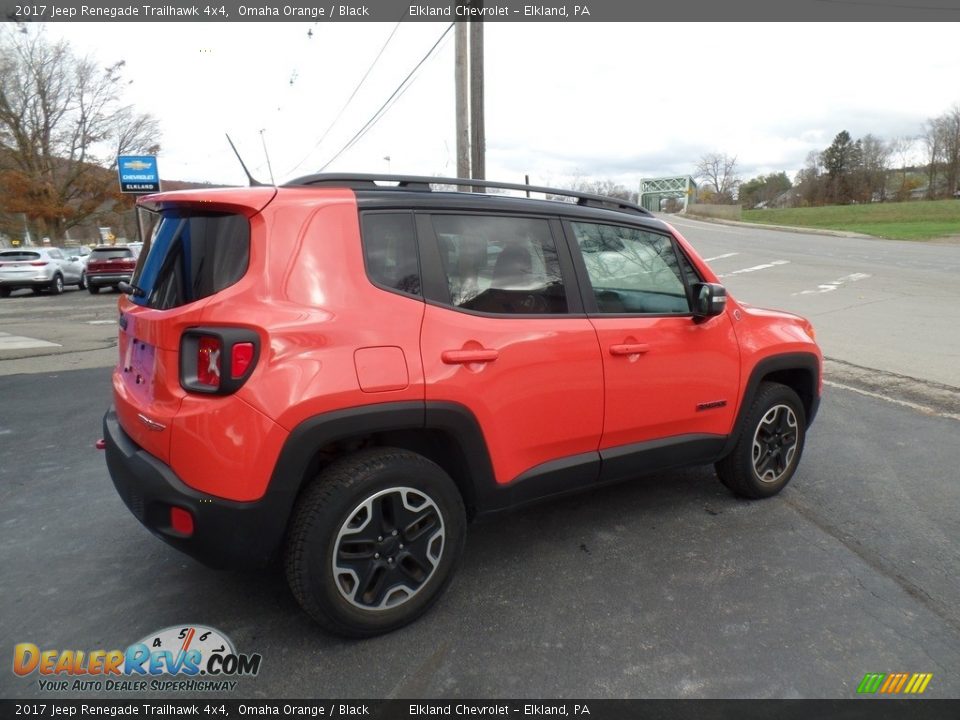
(193, 249)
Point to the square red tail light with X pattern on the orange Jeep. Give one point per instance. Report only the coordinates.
(217, 360)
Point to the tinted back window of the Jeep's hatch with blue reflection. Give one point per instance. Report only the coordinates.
(187, 257)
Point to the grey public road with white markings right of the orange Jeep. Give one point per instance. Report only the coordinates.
(886, 304)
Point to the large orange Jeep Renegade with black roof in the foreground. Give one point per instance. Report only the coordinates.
(341, 374)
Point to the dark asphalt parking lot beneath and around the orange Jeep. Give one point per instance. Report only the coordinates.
(666, 586)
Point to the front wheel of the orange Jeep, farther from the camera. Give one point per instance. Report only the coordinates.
(770, 445)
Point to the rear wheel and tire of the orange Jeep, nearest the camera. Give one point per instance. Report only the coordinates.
(374, 541)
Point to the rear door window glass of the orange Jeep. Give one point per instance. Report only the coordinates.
(504, 265)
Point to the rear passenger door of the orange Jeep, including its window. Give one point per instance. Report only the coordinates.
(505, 338)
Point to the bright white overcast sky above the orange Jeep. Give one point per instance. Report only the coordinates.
(604, 101)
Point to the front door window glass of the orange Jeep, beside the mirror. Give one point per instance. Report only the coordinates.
(631, 270)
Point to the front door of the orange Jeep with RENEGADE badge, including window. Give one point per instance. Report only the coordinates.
(671, 380)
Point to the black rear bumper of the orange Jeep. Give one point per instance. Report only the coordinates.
(226, 534)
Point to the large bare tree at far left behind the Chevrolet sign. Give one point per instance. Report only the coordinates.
(62, 125)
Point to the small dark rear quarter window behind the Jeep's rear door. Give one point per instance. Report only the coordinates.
(390, 251)
